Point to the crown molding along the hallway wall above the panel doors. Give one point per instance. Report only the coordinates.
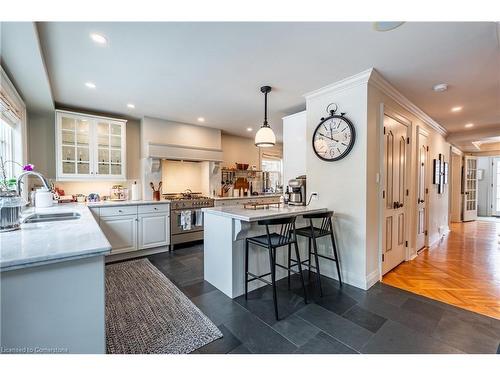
(383, 85)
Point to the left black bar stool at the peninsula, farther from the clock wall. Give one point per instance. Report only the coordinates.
(272, 241)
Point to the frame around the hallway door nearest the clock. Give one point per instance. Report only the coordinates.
(385, 110)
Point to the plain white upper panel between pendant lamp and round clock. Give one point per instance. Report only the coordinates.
(294, 145)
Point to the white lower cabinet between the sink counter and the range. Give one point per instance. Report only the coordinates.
(130, 228)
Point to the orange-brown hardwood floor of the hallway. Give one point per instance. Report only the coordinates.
(462, 270)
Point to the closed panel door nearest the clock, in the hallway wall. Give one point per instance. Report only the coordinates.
(394, 220)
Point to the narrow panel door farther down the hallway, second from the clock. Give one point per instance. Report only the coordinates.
(422, 190)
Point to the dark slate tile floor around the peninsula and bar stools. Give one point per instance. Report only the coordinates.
(346, 320)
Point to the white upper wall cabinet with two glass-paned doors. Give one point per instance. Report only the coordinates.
(90, 147)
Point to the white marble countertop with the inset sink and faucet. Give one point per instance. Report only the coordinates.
(49, 242)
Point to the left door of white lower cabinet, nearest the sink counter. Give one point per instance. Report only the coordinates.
(121, 232)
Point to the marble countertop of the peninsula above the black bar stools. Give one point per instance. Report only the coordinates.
(245, 214)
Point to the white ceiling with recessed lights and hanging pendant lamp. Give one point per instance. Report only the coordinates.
(180, 71)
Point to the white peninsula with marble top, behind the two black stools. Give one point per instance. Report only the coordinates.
(226, 229)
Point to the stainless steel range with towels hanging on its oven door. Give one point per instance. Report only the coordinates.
(186, 217)
